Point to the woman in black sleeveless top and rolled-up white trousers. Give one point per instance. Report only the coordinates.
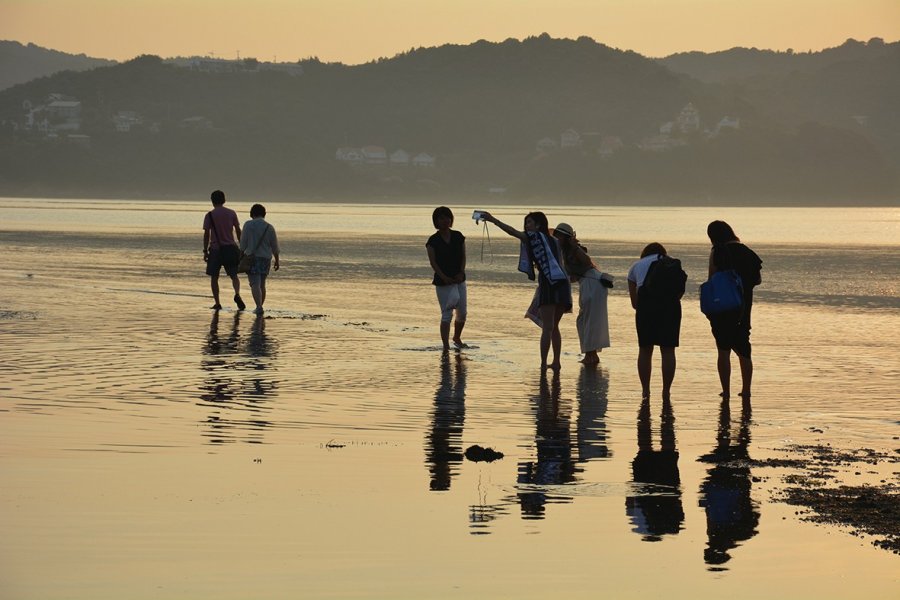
(447, 255)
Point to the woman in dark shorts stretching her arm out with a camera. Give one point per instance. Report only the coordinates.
(554, 294)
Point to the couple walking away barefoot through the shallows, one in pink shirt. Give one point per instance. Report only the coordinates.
(225, 243)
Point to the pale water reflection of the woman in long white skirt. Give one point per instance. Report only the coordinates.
(591, 430)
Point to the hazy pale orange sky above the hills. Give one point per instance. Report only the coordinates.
(354, 31)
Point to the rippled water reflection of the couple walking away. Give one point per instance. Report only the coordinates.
(238, 385)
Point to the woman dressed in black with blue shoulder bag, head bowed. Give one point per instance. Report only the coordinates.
(731, 327)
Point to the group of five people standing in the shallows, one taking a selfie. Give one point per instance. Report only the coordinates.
(557, 259)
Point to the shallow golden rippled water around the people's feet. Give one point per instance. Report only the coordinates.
(153, 448)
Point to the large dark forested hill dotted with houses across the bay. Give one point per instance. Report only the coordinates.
(556, 119)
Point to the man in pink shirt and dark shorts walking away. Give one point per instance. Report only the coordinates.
(221, 234)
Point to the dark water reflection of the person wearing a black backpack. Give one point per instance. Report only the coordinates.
(657, 510)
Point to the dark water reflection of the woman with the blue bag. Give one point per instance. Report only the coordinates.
(731, 514)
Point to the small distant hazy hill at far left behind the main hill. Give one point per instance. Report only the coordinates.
(20, 63)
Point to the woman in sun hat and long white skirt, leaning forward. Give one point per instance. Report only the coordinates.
(593, 289)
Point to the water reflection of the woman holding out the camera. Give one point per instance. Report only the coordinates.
(553, 441)
